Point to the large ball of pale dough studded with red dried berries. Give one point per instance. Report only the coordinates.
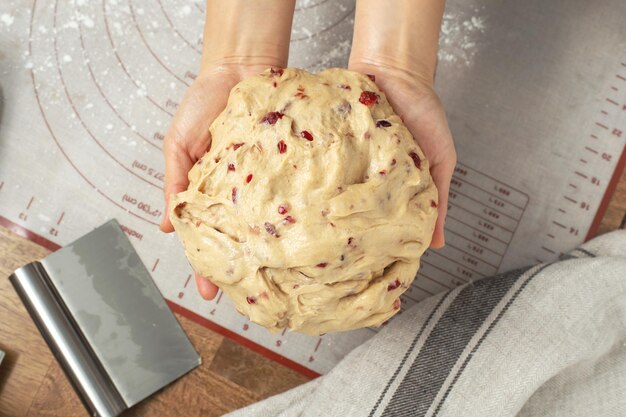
(314, 204)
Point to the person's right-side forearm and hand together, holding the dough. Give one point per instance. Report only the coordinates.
(397, 41)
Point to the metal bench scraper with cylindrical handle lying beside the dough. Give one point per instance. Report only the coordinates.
(105, 320)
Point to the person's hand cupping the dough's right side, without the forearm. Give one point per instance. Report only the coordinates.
(416, 102)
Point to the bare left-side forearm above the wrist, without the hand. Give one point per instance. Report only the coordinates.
(247, 33)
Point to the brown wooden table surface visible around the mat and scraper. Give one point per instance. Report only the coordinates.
(230, 377)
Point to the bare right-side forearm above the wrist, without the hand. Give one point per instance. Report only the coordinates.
(402, 35)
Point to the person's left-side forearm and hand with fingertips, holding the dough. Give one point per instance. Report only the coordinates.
(241, 38)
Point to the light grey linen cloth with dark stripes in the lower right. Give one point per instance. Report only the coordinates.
(548, 340)
